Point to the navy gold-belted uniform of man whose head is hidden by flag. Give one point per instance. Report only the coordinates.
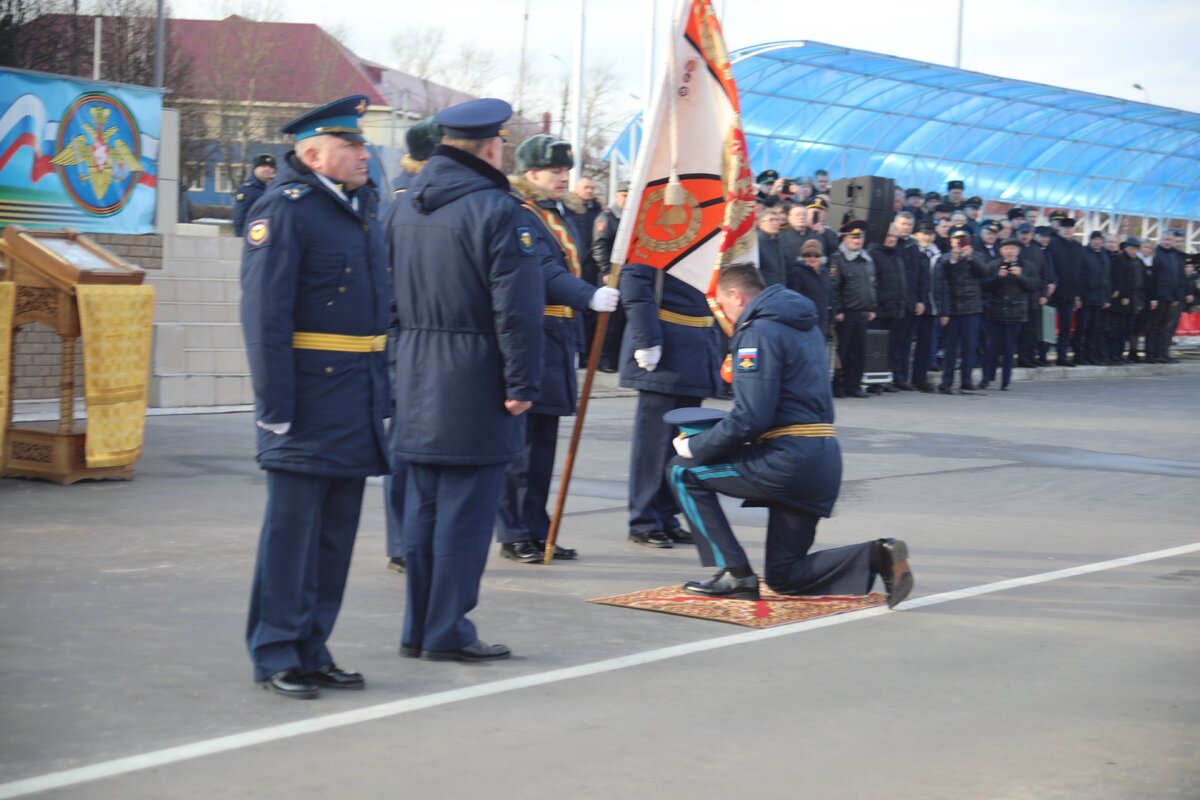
(682, 324)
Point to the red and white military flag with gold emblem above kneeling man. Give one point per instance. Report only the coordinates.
(692, 187)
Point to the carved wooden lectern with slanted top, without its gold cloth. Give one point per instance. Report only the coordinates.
(46, 268)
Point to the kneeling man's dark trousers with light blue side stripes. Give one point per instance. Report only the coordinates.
(790, 568)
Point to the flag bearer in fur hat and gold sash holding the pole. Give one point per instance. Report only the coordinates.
(544, 167)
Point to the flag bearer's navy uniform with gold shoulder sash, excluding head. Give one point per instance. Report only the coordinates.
(523, 514)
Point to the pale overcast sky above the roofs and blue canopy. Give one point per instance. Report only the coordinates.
(1097, 46)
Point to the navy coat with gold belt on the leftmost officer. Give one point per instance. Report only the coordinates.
(314, 264)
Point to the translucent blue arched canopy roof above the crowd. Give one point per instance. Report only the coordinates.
(809, 106)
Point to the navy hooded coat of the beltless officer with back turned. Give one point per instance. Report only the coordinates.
(470, 294)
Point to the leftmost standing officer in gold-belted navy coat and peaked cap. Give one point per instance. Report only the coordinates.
(314, 312)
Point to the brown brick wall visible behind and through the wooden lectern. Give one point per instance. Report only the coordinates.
(38, 350)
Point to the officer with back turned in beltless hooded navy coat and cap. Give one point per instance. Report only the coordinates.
(470, 300)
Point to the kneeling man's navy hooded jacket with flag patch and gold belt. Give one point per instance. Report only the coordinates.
(781, 378)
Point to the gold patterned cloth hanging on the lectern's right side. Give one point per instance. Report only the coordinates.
(117, 323)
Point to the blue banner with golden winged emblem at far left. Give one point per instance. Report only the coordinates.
(76, 154)
